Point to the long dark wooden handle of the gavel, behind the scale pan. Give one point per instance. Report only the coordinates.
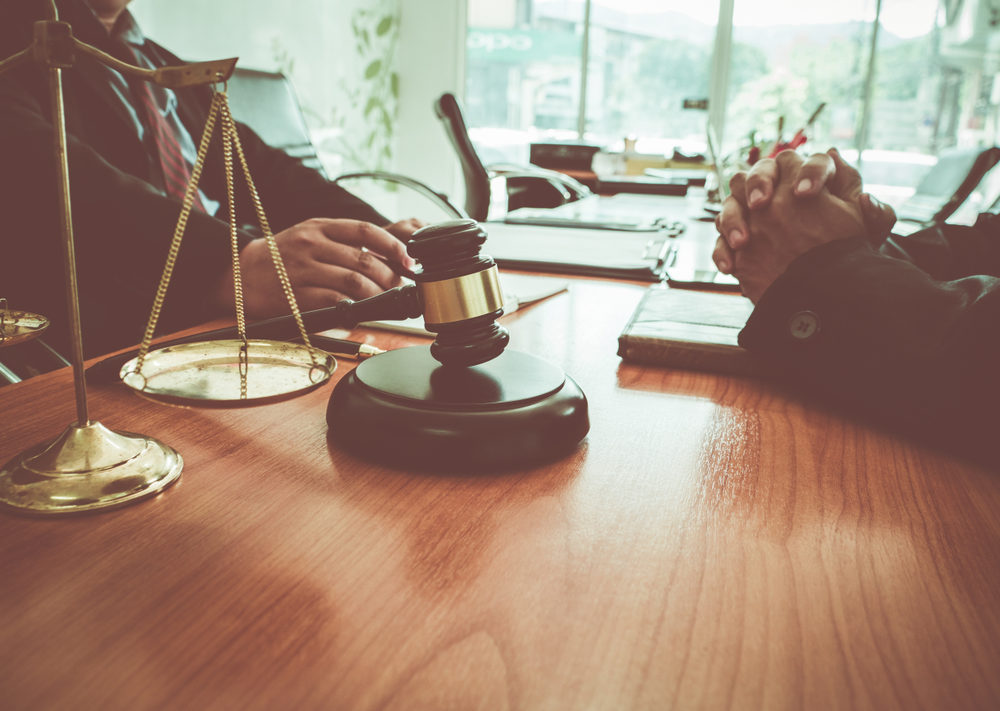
(396, 304)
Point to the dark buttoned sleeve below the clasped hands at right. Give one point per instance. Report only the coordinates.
(909, 336)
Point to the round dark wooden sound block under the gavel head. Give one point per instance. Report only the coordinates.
(406, 409)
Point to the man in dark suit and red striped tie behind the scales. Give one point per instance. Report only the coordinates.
(125, 201)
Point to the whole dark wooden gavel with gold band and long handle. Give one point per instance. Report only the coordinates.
(456, 290)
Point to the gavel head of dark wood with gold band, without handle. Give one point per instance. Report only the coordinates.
(459, 292)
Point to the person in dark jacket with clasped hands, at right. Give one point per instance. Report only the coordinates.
(905, 330)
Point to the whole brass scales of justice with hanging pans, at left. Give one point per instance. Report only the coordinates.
(88, 466)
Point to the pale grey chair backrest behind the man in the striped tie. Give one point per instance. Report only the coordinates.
(267, 103)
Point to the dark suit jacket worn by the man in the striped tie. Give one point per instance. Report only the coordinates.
(123, 226)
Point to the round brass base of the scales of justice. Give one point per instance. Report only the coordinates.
(87, 468)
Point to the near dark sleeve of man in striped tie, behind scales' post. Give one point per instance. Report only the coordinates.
(122, 231)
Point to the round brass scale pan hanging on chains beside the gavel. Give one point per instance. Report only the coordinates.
(209, 373)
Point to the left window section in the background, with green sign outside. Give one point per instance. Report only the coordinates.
(525, 73)
